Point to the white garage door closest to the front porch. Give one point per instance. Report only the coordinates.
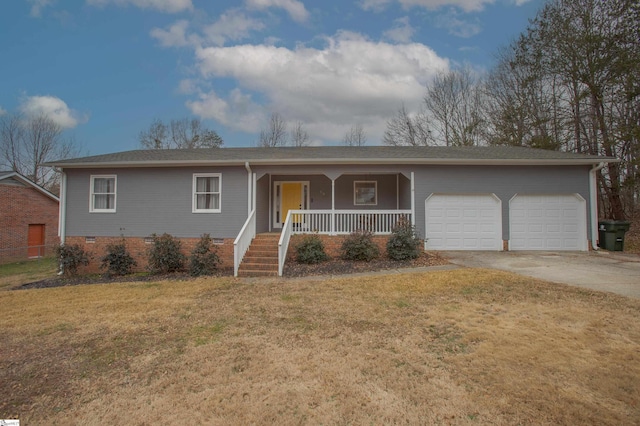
(463, 222)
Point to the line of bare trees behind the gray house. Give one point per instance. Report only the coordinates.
(569, 82)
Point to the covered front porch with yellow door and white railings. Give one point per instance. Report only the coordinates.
(331, 203)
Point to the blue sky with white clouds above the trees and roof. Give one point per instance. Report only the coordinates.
(104, 69)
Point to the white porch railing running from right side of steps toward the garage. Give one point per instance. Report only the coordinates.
(333, 222)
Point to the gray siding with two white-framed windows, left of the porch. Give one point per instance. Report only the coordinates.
(156, 200)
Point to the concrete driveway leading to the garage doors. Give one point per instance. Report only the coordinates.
(615, 272)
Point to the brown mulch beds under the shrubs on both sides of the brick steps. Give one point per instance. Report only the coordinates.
(292, 269)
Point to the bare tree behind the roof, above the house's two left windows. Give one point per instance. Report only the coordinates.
(182, 133)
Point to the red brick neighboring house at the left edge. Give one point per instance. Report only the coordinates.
(28, 218)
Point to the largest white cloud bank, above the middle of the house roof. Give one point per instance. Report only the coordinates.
(351, 80)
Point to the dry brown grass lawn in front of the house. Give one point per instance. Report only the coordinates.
(467, 346)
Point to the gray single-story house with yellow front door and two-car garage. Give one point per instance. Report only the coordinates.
(458, 198)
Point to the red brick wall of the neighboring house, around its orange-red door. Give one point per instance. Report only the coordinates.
(19, 207)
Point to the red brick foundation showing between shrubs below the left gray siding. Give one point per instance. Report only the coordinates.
(138, 248)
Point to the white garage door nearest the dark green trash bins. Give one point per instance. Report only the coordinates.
(547, 222)
